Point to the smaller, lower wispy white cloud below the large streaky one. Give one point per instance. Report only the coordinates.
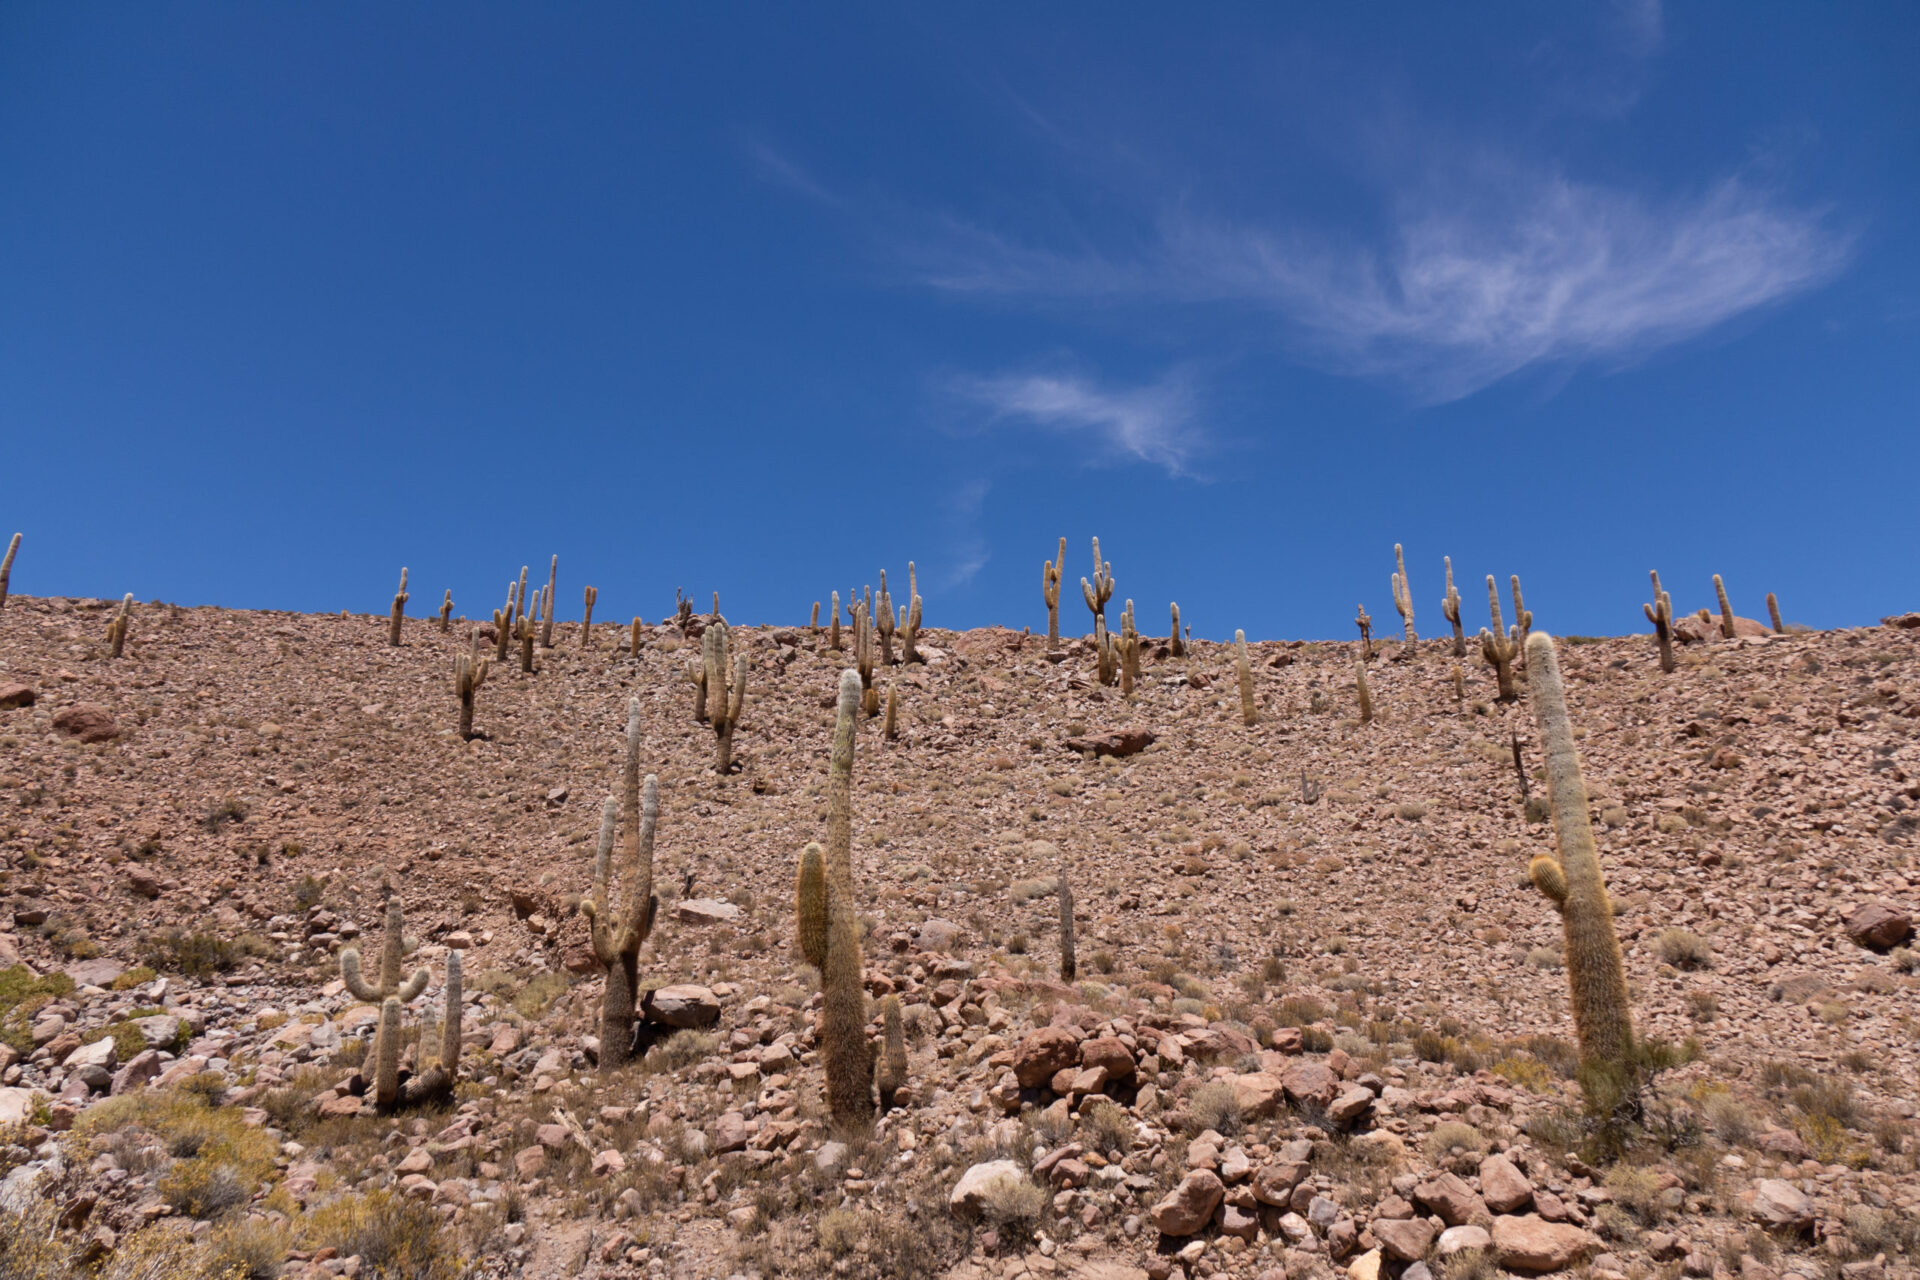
(1153, 423)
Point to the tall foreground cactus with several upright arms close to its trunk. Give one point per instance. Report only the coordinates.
(617, 934)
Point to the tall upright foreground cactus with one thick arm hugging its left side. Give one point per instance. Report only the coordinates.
(834, 945)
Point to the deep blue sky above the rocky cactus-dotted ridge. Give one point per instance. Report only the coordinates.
(767, 298)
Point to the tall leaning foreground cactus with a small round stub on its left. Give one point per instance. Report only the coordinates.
(1573, 882)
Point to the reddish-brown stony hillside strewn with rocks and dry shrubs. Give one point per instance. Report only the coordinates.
(1320, 1022)
